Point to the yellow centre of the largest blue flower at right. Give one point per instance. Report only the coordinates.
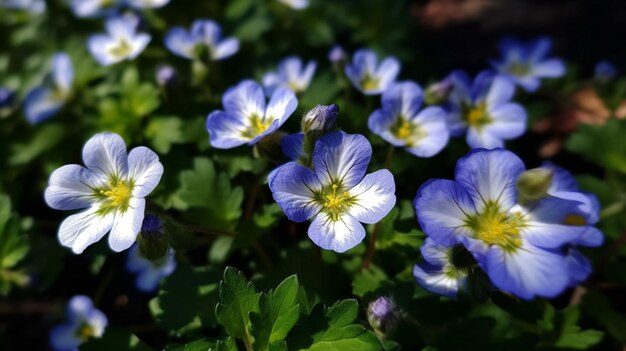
(497, 228)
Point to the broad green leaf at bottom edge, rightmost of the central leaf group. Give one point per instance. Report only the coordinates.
(333, 329)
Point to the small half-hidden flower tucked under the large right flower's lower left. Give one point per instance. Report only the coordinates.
(437, 273)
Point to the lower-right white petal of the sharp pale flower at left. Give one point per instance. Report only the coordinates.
(127, 225)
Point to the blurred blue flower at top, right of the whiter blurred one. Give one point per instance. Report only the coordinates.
(205, 38)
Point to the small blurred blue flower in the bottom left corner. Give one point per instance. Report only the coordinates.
(84, 322)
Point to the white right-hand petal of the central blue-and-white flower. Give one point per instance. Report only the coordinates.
(374, 197)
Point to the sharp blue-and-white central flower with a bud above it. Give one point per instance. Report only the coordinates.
(336, 193)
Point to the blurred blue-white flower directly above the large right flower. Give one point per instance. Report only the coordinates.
(483, 109)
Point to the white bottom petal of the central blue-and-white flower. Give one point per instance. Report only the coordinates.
(339, 235)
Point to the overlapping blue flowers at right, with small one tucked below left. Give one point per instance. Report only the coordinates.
(527, 248)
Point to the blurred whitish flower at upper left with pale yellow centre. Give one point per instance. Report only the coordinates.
(121, 42)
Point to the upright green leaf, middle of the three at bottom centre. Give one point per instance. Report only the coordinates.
(278, 313)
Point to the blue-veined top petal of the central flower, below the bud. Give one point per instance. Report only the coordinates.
(341, 158)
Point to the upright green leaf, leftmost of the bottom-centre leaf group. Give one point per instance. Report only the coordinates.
(238, 298)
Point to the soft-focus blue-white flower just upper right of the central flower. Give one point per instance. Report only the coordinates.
(401, 122)
